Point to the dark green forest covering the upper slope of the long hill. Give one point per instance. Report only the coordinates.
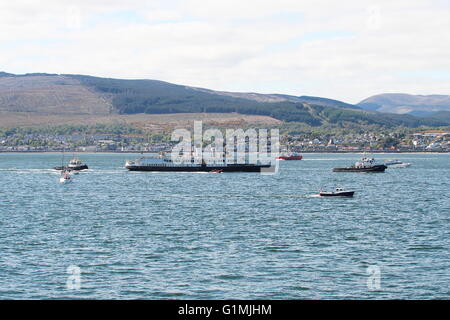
(150, 96)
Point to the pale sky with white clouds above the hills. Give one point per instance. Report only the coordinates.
(346, 50)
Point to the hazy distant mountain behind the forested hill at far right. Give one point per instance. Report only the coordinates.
(401, 103)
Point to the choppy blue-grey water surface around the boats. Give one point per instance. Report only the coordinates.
(221, 236)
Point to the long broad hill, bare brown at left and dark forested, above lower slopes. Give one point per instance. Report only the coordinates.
(51, 94)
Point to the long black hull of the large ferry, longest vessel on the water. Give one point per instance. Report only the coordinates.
(229, 168)
